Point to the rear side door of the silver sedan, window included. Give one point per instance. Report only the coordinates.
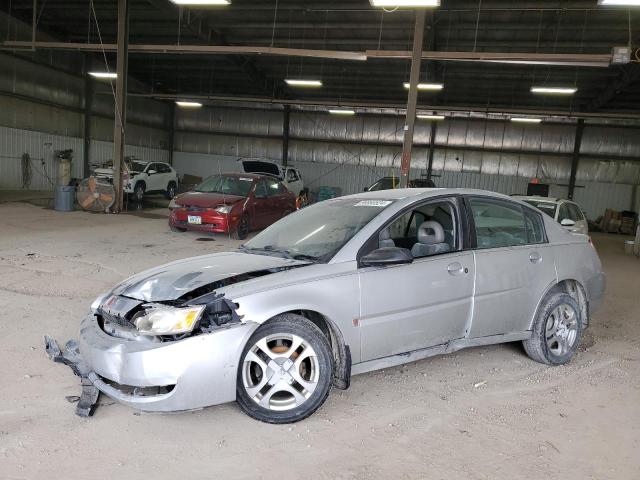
(511, 265)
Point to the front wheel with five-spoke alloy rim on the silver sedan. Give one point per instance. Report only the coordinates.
(285, 371)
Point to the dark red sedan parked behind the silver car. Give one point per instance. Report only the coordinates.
(231, 203)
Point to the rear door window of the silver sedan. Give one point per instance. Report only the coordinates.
(498, 223)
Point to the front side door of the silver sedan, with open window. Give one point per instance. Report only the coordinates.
(418, 305)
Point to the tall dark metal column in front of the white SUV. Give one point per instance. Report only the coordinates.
(121, 101)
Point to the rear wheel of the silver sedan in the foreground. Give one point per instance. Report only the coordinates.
(540, 347)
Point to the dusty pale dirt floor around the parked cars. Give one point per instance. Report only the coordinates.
(482, 413)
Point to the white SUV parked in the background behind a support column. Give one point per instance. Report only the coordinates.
(145, 177)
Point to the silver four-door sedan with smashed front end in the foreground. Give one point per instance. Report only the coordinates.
(339, 288)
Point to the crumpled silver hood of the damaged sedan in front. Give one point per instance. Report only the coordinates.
(173, 280)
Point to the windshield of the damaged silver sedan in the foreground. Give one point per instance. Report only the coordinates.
(317, 232)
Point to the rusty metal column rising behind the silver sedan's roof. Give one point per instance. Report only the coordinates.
(407, 143)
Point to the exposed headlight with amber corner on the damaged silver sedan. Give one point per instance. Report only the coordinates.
(166, 320)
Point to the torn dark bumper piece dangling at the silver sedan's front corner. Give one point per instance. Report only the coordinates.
(71, 357)
